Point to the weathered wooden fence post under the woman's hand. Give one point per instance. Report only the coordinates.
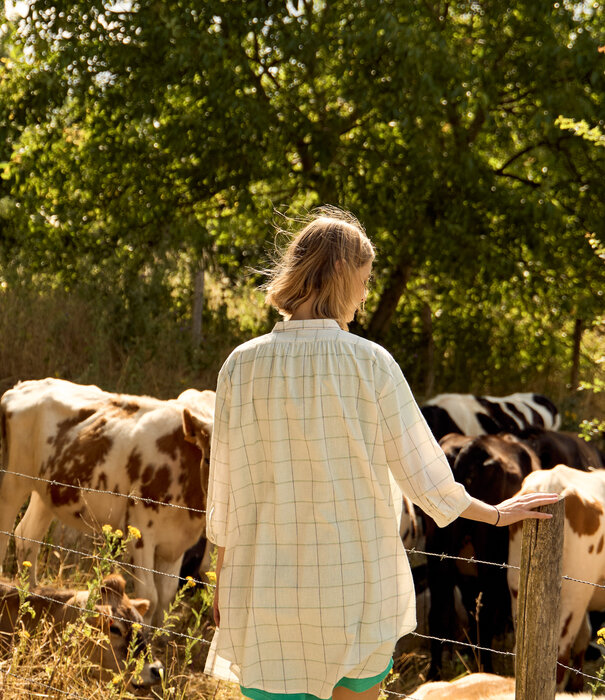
(539, 605)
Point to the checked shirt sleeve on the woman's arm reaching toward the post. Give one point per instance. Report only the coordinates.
(414, 457)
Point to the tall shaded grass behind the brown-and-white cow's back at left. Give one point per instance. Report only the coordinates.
(83, 337)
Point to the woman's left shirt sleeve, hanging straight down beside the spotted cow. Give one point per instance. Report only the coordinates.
(217, 507)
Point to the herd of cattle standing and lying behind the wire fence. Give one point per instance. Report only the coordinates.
(89, 458)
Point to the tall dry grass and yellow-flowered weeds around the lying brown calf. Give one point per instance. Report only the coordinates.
(43, 659)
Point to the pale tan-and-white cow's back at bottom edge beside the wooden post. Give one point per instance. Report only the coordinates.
(479, 686)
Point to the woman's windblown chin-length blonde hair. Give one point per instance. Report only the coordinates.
(320, 260)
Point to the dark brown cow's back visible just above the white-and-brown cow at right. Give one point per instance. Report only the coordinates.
(562, 447)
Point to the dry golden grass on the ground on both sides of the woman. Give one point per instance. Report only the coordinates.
(45, 664)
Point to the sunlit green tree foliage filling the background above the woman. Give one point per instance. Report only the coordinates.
(140, 136)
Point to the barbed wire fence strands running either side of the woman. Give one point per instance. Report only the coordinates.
(209, 585)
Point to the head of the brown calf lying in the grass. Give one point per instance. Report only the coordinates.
(124, 638)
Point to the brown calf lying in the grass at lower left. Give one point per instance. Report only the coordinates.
(117, 616)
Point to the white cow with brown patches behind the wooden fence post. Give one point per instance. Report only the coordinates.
(583, 558)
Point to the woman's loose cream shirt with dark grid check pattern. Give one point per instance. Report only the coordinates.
(316, 434)
